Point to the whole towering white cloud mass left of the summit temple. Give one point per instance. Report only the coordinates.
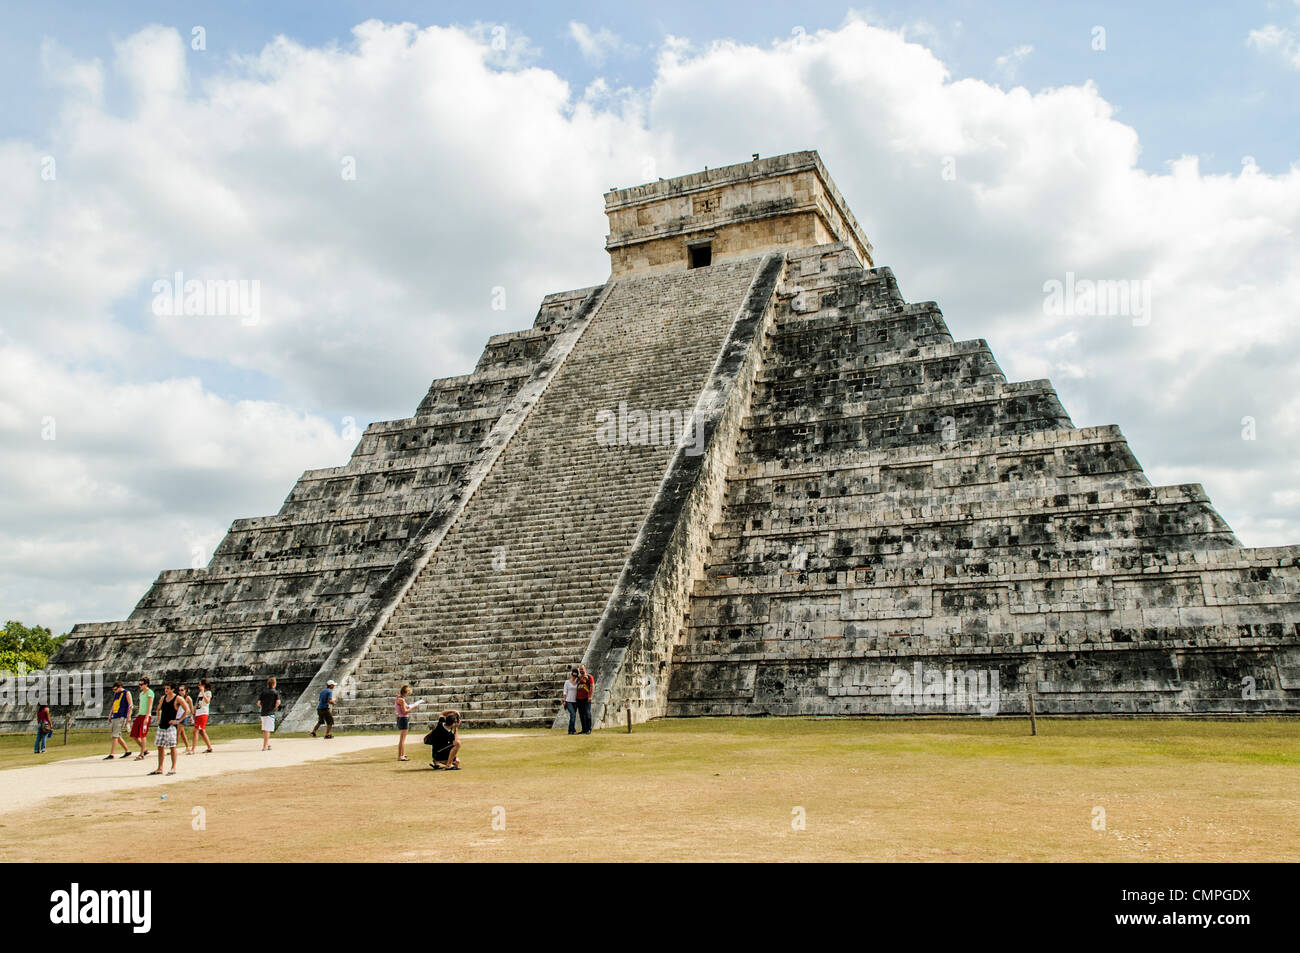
(371, 287)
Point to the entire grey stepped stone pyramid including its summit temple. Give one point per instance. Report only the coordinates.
(740, 476)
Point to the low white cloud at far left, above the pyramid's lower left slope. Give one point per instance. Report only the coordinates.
(107, 483)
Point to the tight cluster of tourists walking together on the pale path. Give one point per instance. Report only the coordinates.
(181, 720)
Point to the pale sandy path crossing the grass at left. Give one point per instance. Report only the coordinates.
(25, 787)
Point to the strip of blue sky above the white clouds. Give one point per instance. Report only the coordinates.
(1182, 73)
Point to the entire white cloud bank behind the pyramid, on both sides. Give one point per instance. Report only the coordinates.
(478, 170)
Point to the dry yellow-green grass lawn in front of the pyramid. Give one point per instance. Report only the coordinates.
(743, 790)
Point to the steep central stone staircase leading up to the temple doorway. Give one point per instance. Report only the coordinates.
(513, 595)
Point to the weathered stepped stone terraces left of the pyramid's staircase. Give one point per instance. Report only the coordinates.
(283, 592)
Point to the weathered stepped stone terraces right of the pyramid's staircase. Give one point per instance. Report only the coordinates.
(896, 500)
